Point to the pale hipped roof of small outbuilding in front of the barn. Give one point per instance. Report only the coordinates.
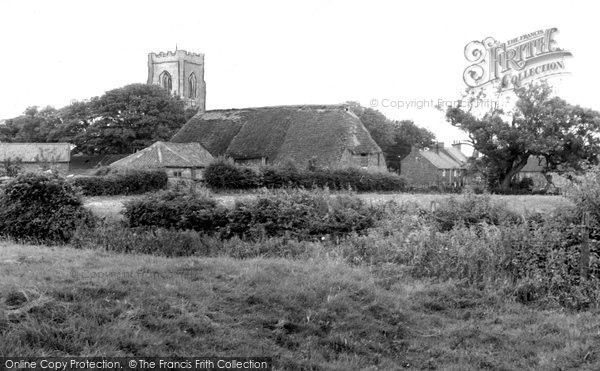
(167, 154)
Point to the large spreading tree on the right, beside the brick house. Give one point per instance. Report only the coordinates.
(540, 125)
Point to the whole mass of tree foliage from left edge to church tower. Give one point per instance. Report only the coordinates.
(119, 121)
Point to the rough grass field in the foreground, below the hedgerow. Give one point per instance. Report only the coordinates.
(313, 314)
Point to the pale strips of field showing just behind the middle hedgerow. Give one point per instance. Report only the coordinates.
(111, 206)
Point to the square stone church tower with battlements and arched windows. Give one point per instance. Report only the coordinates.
(181, 73)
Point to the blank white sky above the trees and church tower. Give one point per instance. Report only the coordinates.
(382, 54)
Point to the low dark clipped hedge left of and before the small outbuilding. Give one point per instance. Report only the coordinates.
(122, 182)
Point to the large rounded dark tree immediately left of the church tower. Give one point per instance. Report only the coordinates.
(126, 119)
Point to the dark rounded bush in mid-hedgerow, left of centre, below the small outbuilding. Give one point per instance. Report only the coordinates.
(176, 209)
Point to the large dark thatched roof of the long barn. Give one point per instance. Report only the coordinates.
(284, 133)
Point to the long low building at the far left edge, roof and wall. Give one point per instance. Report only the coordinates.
(36, 157)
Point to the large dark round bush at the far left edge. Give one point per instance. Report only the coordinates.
(44, 208)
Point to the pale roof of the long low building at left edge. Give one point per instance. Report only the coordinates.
(36, 152)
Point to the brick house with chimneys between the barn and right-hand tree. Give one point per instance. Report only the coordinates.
(437, 166)
